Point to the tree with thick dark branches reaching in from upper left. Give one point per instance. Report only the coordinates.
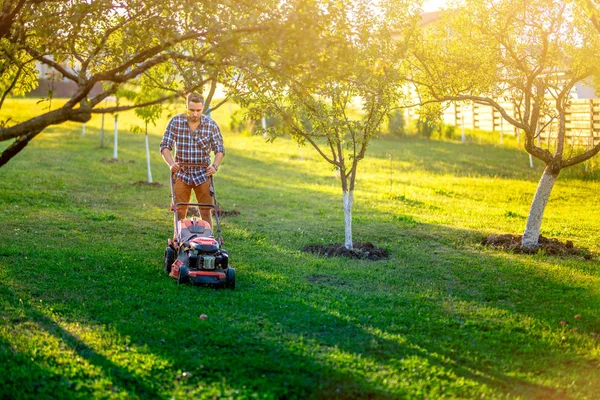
(109, 44)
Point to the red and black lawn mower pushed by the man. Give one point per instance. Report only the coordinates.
(194, 254)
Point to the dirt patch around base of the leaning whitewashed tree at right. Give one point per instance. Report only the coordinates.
(552, 247)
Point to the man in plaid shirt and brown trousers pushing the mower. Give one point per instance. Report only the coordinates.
(194, 136)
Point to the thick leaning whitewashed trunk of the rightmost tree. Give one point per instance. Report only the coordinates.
(536, 212)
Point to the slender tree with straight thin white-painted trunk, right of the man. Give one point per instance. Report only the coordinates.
(336, 101)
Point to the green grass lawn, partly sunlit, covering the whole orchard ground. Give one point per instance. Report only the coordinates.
(87, 312)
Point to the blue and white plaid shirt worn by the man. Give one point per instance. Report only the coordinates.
(192, 147)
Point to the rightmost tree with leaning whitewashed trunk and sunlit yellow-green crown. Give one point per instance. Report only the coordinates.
(528, 52)
